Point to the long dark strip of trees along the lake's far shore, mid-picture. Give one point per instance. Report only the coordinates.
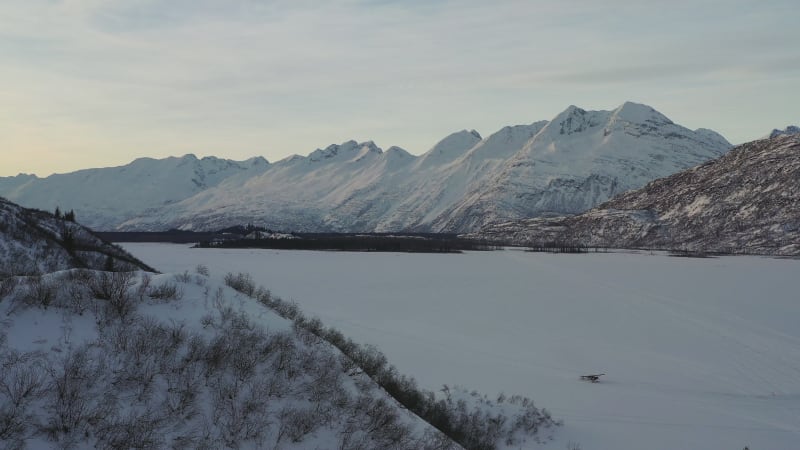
(360, 243)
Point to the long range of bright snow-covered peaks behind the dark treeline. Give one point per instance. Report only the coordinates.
(564, 166)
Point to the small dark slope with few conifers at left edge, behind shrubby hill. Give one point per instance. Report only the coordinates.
(35, 242)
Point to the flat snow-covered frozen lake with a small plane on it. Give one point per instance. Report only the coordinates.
(698, 353)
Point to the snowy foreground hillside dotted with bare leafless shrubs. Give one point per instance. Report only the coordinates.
(128, 360)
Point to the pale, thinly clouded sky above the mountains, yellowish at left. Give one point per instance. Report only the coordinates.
(95, 83)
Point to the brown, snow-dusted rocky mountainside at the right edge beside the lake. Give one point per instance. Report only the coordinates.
(747, 201)
